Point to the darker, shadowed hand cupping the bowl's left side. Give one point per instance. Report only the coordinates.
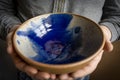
(21, 65)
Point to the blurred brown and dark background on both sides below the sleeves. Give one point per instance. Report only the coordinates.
(108, 68)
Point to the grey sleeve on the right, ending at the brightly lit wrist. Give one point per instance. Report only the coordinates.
(111, 17)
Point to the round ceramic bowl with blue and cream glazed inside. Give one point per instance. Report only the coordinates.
(58, 42)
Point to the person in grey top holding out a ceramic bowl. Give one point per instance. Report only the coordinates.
(14, 12)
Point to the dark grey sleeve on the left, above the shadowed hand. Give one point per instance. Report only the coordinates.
(8, 17)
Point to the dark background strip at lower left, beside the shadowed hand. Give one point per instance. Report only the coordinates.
(7, 68)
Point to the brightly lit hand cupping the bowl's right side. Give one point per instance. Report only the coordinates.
(93, 64)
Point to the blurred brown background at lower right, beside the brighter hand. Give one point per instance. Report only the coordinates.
(109, 67)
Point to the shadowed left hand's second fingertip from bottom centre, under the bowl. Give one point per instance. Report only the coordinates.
(42, 76)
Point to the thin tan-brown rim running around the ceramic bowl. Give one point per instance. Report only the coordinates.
(58, 66)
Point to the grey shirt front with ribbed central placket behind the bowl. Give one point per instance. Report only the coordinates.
(88, 8)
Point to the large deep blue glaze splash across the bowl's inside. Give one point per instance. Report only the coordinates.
(51, 31)
